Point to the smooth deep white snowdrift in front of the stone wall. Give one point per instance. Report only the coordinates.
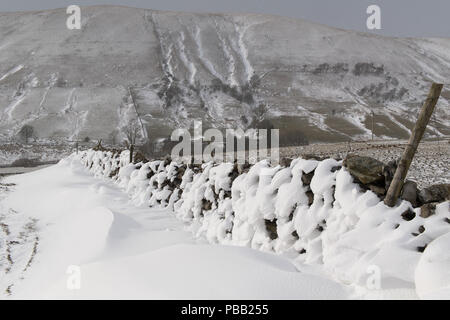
(62, 216)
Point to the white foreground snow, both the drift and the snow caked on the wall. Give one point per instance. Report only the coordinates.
(137, 234)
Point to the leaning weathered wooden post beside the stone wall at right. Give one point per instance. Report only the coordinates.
(416, 135)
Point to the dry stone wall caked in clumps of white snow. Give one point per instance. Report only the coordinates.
(311, 210)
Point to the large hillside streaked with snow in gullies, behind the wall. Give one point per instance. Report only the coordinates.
(309, 80)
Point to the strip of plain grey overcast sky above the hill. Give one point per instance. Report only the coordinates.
(412, 18)
